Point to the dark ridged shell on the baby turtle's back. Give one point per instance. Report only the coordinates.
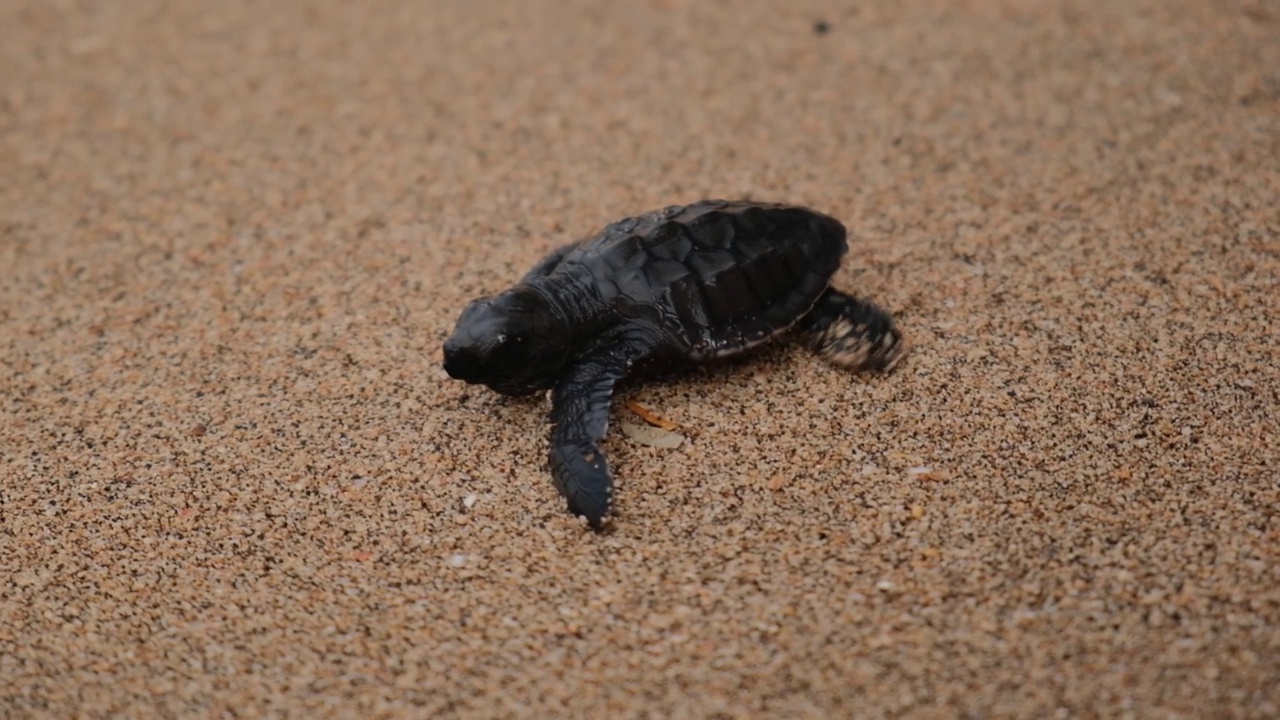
(717, 277)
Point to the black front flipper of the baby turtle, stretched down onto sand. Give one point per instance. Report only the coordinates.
(580, 416)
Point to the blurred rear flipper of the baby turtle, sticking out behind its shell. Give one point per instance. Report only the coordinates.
(853, 334)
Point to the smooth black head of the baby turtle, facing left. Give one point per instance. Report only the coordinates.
(514, 343)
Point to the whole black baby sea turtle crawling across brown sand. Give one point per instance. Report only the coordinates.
(688, 284)
